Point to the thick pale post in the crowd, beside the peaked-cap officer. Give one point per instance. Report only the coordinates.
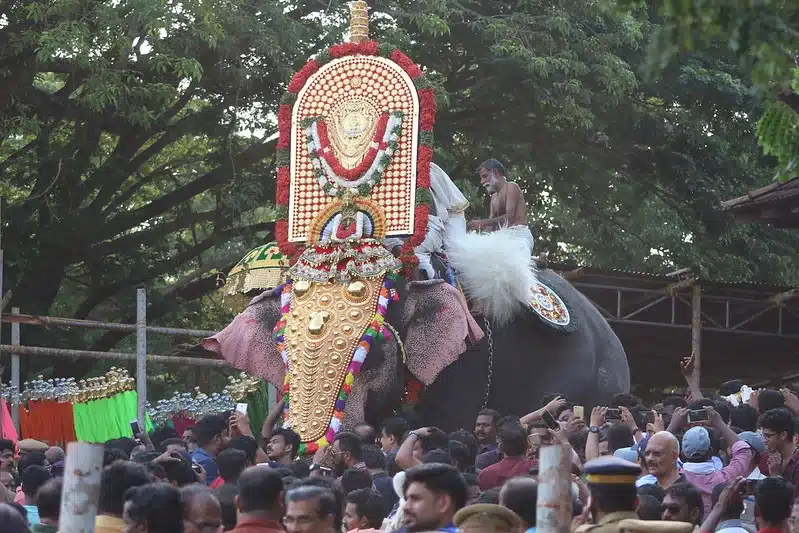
(554, 505)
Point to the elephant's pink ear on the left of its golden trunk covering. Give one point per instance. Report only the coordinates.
(247, 342)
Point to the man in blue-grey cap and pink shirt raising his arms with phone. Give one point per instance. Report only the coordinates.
(699, 469)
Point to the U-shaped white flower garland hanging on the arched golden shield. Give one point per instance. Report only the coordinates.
(334, 185)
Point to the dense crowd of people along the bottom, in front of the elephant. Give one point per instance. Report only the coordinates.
(697, 464)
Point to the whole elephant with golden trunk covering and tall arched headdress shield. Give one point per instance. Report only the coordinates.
(362, 212)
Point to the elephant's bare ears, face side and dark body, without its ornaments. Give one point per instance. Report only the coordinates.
(507, 368)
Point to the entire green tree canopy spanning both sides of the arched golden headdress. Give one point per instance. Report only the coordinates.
(136, 143)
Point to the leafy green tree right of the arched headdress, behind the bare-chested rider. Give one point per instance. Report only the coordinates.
(623, 170)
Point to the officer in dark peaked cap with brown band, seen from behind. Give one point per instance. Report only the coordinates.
(613, 496)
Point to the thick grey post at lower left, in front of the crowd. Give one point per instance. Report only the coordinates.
(81, 492)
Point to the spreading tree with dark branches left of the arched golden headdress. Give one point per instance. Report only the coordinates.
(122, 161)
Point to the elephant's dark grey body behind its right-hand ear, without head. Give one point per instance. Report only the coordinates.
(529, 360)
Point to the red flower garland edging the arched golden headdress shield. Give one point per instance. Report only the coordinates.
(427, 117)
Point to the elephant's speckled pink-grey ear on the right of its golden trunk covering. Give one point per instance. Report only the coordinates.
(438, 324)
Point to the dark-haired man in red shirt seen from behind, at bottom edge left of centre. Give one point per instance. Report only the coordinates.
(260, 501)
